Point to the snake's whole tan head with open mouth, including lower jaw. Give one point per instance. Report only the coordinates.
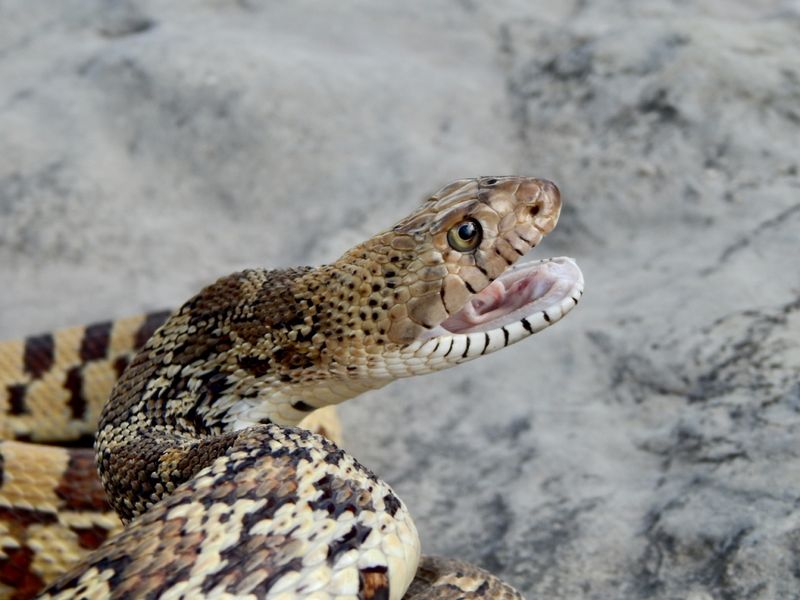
(447, 273)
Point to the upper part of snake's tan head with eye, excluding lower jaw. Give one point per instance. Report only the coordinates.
(424, 269)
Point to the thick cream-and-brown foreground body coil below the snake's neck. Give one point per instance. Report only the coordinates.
(278, 500)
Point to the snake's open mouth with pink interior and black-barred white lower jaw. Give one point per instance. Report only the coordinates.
(525, 299)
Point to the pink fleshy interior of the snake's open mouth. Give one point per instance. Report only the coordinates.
(522, 291)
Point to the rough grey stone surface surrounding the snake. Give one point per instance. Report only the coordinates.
(647, 447)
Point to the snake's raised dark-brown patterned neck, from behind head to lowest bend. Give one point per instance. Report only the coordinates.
(258, 348)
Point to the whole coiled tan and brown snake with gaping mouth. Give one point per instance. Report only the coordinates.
(208, 476)
